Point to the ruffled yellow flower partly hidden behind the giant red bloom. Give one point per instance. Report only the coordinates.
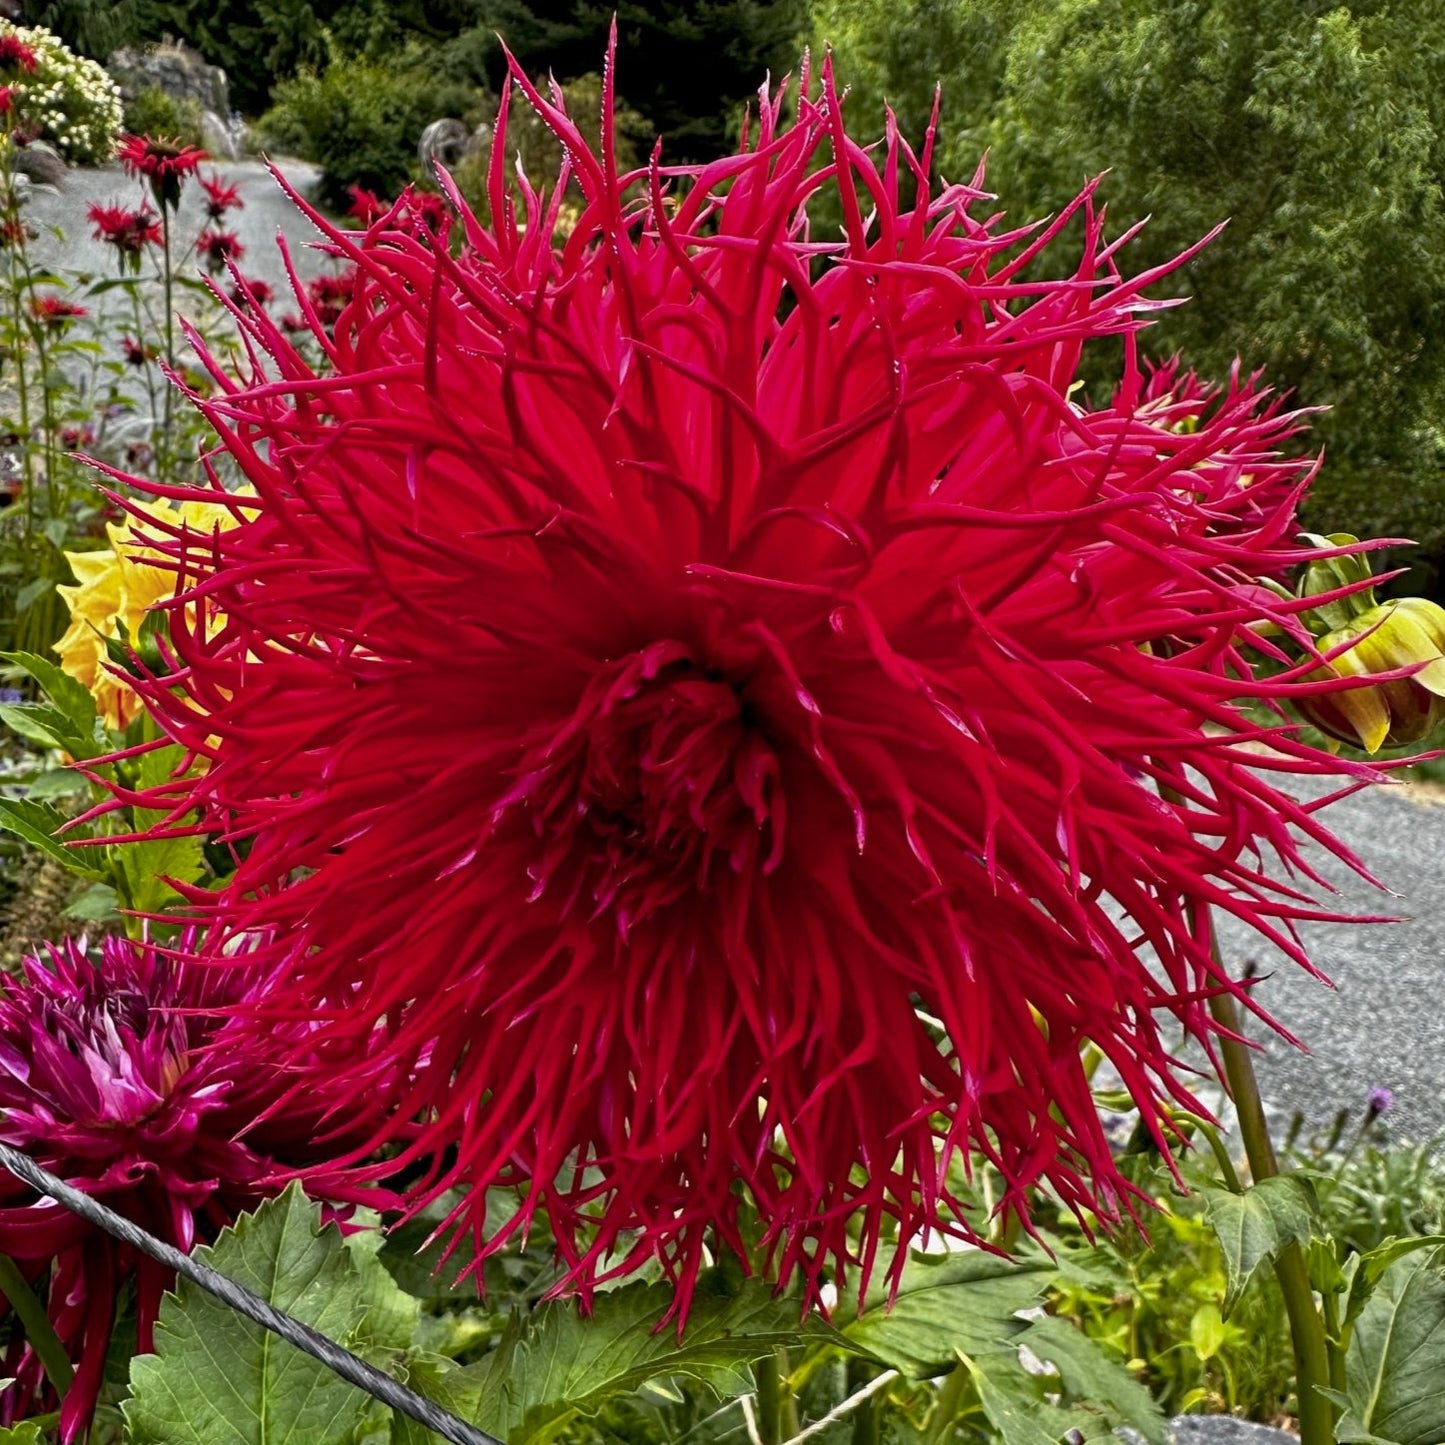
(113, 586)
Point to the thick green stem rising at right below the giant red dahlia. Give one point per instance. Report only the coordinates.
(1307, 1327)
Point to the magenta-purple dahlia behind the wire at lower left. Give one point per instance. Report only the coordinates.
(119, 1079)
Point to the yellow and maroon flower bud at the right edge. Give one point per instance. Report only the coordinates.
(1401, 634)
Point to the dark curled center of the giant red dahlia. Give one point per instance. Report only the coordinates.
(660, 780)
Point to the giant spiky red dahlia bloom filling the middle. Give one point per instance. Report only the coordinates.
(780, 722)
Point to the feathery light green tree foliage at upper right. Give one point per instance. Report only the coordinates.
(1317, 131)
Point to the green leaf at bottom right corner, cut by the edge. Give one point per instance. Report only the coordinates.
(1395, 1366)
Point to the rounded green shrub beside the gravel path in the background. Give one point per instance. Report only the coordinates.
(361, 121)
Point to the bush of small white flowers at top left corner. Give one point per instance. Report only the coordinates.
(69, 100)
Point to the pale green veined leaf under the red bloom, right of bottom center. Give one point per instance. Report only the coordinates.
(949, 1304)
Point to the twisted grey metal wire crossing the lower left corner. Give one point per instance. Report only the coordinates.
(294, 1332)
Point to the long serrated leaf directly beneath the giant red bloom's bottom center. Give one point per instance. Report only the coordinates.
(557, 1366)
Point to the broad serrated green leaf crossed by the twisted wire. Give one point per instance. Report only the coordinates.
(216, 1379)
